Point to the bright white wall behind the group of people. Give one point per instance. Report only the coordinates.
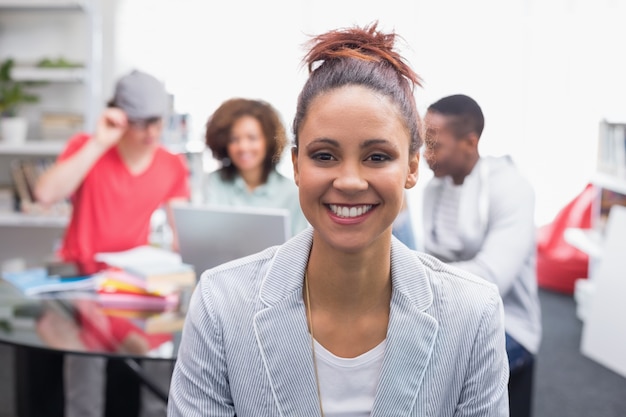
(545, 74)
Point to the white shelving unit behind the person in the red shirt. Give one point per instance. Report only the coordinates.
(59, 45)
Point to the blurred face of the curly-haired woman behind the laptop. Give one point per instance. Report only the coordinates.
(247, 146)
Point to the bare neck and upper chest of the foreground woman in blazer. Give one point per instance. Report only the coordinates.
(348, 298)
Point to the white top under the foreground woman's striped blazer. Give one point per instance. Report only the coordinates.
(348, 385)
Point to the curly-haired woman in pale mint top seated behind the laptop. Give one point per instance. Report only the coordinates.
(248, 137)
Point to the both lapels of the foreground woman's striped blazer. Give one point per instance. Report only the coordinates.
(285, 343)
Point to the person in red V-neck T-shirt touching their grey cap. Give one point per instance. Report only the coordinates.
(115, 179)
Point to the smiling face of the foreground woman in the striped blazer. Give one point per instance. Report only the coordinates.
(353, 166)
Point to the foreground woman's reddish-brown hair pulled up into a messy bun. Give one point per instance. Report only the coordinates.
(365, 57)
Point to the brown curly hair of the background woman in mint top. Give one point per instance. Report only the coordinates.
(218, 127)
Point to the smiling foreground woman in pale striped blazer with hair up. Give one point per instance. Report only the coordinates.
(343, 318)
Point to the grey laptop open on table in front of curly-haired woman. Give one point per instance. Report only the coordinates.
(212, 235)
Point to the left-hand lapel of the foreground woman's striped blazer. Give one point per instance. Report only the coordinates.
(287, 352)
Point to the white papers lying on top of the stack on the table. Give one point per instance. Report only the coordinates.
(141, 255)
